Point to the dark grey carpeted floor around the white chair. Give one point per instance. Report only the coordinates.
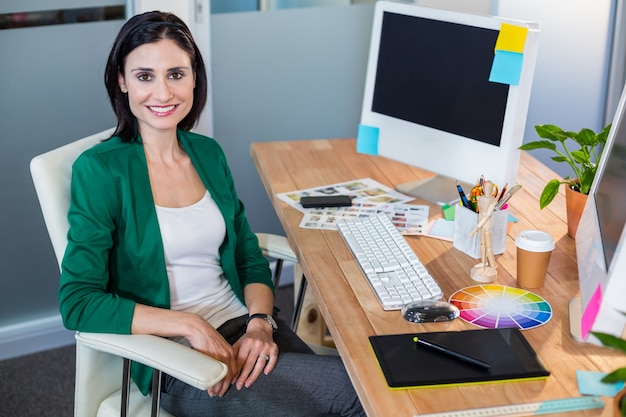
(42, 384)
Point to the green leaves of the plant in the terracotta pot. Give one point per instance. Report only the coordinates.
(582, 161)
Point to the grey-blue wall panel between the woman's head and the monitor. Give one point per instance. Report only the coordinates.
(285, 75)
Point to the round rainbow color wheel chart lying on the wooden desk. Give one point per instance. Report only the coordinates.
(500, 306)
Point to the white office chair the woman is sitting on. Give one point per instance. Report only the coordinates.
(103, 384)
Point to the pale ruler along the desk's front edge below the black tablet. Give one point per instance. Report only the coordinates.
(527, 409)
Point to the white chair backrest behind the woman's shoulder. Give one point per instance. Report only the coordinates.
(52, 175)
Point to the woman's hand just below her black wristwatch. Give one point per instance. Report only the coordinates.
(256, 352)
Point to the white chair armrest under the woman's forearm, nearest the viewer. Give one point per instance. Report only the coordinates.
(181, 362)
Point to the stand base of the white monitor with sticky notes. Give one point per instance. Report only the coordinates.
(438, 189)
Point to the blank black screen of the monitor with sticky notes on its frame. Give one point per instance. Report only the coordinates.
(436, 74)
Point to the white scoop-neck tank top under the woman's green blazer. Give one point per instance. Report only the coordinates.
(192, 237)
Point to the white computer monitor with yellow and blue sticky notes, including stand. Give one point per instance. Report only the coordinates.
(429, 96)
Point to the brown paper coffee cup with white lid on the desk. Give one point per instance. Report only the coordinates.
(534, 248)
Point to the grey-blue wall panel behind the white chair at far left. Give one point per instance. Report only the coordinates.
(52, 92)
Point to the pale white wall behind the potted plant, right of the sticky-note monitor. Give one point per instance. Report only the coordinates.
(569, 88)
